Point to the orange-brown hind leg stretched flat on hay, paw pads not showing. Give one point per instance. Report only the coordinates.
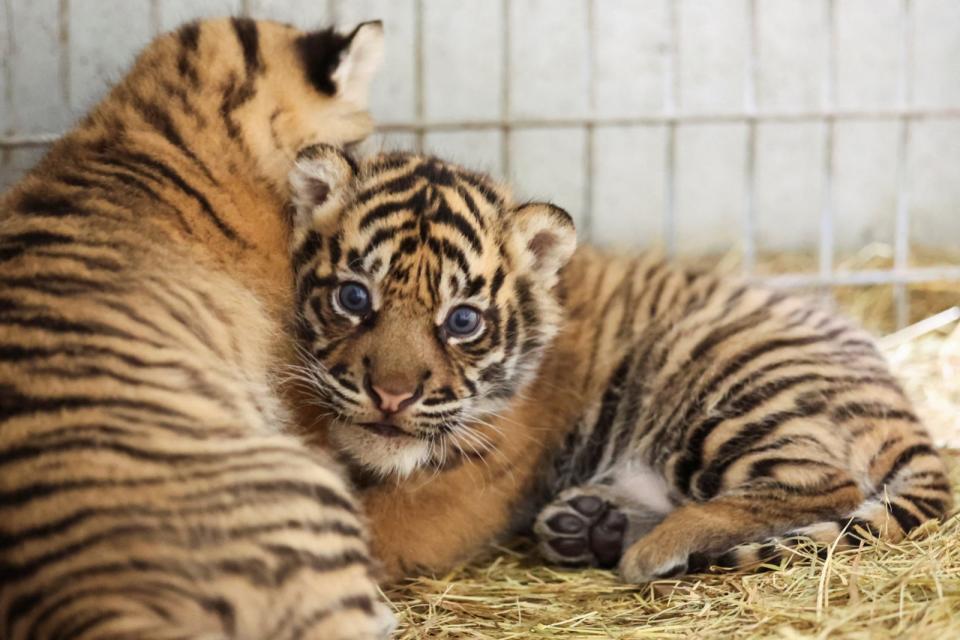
(694, 535)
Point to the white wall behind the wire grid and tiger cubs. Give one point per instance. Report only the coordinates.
(547, 66)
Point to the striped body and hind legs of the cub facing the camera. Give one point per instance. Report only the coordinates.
(729, 420)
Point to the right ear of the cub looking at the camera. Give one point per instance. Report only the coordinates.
(545, 235)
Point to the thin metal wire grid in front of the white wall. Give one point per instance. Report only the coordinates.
(671, 119)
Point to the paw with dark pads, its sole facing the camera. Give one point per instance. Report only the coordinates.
(582, 528)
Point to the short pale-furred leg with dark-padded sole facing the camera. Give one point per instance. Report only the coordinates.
(591, 525)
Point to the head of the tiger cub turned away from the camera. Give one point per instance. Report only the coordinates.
(265, 86)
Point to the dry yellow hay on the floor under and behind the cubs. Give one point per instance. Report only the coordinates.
(905, 590)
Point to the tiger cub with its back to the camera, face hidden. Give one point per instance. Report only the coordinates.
(147, 486)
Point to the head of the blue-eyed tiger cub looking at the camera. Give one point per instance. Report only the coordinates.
(425, 301)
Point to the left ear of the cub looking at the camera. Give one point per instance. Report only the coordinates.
(320, 183)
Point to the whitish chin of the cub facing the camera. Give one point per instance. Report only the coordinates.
(387, 456)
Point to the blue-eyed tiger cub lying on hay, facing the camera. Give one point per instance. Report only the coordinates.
(478, 371)
